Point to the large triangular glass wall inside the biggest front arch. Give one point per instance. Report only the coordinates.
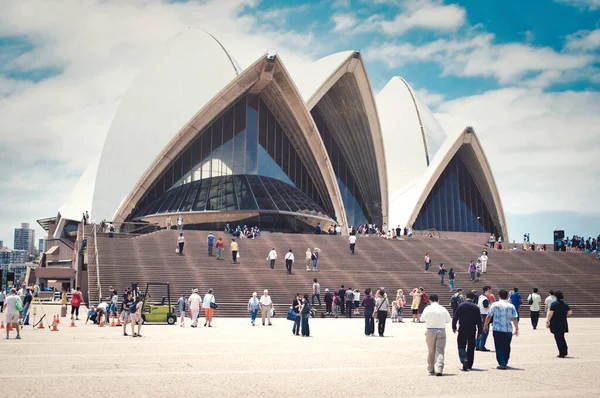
(247, 139)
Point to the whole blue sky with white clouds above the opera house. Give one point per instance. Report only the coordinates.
(524, 74)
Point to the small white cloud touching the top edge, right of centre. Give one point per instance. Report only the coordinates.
(424, 14)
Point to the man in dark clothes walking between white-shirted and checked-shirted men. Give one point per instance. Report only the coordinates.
(469, 320)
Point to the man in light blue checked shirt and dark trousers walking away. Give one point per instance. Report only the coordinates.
(505, 317)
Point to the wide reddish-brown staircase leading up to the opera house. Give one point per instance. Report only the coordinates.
(378, 262)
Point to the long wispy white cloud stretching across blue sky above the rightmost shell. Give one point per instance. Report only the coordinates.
(479, 56)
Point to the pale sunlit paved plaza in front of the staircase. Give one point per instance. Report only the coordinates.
(233, 359)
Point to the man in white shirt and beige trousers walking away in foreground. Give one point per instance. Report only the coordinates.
(436, 317)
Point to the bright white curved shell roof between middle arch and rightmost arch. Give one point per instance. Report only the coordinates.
(410, 132)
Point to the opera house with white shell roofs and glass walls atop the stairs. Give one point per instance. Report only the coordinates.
(197, 136)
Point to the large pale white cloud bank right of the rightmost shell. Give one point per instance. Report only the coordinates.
(540, 145)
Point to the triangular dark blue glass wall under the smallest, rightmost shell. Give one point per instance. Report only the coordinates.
(456, 204)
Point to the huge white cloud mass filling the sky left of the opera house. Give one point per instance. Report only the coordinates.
(50, 129)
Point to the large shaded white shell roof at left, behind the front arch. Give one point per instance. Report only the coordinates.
(186, 74)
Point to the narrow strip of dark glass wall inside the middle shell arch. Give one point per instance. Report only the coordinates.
(353, 201)
